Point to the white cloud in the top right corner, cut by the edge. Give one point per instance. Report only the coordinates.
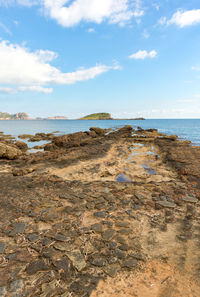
(183, 18)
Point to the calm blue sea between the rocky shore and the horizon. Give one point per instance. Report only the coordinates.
(186, 129)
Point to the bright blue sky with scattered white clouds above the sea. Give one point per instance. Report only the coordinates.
(131, 58)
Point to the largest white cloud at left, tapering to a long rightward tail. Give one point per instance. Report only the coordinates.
(32, 71)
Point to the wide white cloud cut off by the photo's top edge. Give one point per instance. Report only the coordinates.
(70, 13)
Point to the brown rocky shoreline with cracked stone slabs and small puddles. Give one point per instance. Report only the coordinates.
(100, 213)
